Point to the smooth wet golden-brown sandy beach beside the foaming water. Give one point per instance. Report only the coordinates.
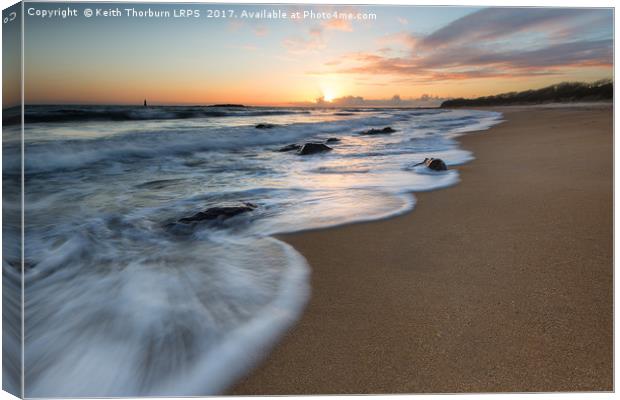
(501, 283)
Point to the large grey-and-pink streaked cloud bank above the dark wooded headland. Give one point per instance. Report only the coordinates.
(468, 49)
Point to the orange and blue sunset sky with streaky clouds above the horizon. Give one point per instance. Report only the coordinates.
(405, 56)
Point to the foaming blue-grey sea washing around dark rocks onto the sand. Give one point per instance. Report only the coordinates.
(122, 299)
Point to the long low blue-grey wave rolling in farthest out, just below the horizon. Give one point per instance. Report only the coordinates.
(67, 154)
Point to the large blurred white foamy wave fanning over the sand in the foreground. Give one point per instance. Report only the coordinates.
(147, 316)
